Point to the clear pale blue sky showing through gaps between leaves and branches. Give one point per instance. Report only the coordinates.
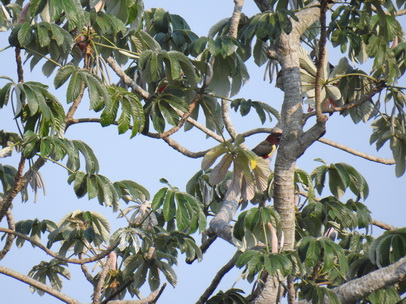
(146, 160)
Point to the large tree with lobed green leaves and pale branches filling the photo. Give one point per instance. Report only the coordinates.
(293, 238)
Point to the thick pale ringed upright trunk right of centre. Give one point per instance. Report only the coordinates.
(293, 143)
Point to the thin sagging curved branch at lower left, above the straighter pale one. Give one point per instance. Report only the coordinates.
(55, 255)
